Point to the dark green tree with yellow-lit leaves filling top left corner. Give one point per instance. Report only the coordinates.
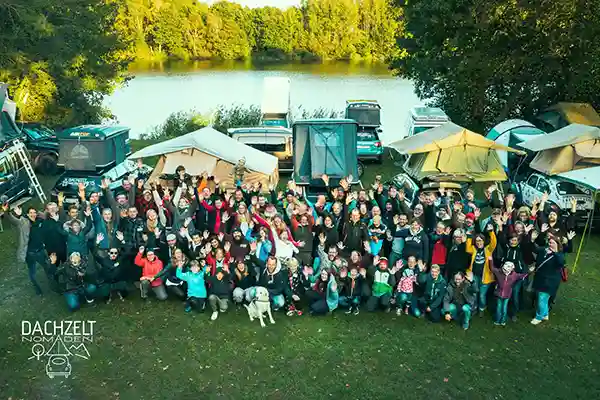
(61, 58)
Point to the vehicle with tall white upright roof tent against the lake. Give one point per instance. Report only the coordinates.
(276, 103)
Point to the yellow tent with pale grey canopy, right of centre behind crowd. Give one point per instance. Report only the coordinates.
(451, 151)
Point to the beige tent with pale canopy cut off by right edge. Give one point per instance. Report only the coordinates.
(572, 147)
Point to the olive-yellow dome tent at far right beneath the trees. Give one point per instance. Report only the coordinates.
(562, 114)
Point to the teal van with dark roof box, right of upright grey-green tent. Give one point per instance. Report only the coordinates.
(367, 113)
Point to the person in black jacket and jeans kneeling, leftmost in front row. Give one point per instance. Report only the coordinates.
(76, 280)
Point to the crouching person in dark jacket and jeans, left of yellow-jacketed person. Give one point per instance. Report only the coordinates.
(459, 299)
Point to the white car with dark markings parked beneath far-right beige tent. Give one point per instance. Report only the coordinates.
(560, 192)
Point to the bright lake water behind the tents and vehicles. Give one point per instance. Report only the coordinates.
(156, 92)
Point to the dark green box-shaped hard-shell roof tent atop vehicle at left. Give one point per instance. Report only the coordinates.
(93, 147)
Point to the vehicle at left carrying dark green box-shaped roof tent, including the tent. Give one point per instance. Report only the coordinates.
(90, 153)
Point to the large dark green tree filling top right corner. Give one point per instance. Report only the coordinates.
(484, 62)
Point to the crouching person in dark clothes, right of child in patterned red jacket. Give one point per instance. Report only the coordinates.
(434, 290)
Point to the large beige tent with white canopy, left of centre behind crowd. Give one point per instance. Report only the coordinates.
(208, 150)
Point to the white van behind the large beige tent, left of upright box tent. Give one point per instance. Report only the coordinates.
(273, 140)
